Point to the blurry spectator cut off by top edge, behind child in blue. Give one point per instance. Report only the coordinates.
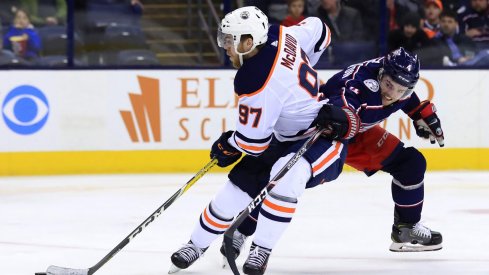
(45, 12)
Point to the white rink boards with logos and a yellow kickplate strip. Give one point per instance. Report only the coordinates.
(144, 121)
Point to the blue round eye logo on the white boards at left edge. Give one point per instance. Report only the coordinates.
(25, 110)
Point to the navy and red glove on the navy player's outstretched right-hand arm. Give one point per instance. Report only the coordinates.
(427, 123)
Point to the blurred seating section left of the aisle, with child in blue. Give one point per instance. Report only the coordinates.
(34, 32)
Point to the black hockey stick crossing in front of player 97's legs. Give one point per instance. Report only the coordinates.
(228, 235)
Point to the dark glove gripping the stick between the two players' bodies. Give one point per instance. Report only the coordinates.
(340, 123)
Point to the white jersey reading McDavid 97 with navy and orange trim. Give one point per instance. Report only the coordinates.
(278, 88)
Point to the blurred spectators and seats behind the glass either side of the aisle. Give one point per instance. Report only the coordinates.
(107, 32)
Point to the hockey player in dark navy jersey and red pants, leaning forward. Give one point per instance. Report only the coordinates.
(375, 89)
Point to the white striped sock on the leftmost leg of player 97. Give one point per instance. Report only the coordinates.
(219, 214)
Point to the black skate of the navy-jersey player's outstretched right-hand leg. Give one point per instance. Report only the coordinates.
(414, 238)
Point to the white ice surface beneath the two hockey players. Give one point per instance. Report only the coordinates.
(341, 227)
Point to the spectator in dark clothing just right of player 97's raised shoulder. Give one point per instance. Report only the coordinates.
(344, 22)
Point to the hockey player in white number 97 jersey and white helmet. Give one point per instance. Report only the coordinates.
(278, 103)
